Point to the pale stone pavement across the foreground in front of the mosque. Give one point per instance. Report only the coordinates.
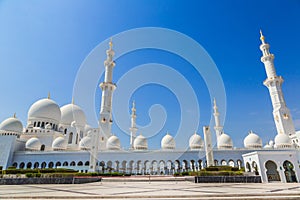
(152, 190)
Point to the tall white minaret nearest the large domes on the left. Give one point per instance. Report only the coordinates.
(108, 87)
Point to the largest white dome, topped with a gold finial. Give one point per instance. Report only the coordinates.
(45, 109)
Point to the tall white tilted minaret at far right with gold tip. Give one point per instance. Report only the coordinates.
(281, 114)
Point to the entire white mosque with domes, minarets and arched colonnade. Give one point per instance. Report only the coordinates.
(57, 137)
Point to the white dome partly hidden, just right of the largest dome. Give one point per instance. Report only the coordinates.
(72, 112)
